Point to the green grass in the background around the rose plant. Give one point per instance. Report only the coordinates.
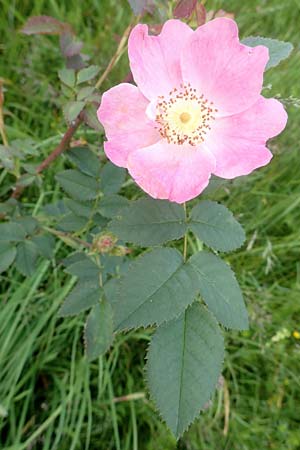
(50, 398)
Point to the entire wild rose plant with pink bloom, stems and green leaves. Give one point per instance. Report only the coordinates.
(195, 111)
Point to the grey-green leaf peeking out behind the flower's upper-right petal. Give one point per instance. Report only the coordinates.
(278, 50)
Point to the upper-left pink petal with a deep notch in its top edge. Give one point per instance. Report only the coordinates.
(155, 60)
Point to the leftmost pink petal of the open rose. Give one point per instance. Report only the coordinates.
(123, 114)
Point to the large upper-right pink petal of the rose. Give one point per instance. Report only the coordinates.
(226, 72)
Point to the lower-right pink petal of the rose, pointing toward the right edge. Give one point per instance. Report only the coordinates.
(238, 141)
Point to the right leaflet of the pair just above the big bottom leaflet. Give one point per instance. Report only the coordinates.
(220, 290)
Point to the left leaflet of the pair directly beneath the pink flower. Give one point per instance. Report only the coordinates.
(150, 222)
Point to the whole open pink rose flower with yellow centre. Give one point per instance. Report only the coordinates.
(196, 110)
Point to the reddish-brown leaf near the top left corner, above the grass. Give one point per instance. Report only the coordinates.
(44, 25)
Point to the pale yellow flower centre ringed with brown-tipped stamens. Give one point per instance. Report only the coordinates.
(184, 116)
